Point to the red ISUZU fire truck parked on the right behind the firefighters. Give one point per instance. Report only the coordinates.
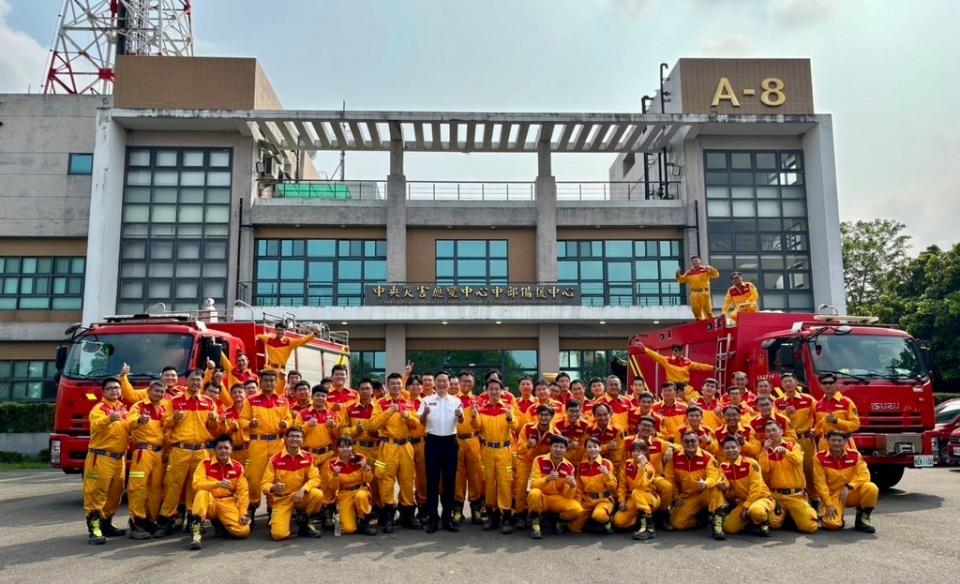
(880, 367)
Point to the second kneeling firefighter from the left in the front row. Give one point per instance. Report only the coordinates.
(291, 482)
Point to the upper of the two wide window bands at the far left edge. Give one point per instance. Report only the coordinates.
(41, 283)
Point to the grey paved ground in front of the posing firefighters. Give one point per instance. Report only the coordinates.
(42, 539)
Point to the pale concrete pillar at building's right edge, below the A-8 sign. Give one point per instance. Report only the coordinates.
(823, 216)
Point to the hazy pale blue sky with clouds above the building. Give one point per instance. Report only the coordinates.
(887, 71)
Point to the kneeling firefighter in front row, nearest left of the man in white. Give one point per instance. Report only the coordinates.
(346, 484)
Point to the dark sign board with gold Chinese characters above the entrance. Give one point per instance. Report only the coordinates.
(407, 294)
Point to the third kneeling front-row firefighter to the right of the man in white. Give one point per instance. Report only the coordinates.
(637, 494)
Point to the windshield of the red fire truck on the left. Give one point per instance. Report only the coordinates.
(98, 356)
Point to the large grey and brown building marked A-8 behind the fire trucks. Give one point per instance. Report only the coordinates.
(191, 181)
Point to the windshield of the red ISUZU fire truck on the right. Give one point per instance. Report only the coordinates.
(868, 356)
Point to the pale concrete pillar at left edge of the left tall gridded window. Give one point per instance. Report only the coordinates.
(106, 209)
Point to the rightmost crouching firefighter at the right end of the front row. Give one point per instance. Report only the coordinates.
(842, 479)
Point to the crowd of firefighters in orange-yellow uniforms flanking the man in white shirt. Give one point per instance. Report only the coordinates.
(328, 455)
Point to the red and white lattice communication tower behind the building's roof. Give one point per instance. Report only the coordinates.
(93, 33)
